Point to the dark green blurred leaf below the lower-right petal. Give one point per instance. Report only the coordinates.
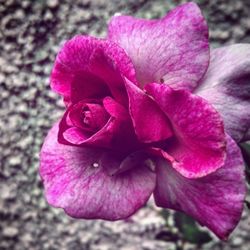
(190, 230)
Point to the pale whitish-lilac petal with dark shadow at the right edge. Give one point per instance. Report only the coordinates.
(227, 86)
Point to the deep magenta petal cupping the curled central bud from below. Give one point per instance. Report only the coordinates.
(117, 133)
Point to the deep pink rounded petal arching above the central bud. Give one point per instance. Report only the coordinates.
(76, 73)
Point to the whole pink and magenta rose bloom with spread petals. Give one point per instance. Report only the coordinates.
(145, 114)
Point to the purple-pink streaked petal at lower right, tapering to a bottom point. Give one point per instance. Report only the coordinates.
(216, 200)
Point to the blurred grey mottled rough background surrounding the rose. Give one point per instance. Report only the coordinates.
(31, 33)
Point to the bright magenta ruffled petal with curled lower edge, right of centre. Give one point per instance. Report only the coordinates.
(199, 143)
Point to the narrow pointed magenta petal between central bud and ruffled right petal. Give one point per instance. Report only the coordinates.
(150, 123)
